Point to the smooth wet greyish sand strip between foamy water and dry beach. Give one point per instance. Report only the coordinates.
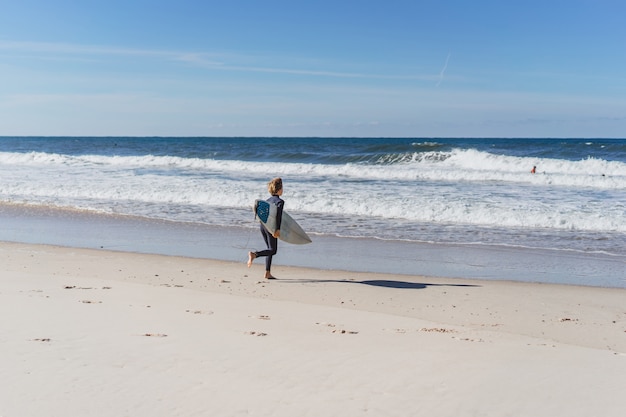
(84, 229)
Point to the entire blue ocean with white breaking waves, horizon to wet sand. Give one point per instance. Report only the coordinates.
(465, 192)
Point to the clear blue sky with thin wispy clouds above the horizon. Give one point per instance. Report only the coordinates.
(317, 68)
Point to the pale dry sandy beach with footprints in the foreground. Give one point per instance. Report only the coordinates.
(95, 333)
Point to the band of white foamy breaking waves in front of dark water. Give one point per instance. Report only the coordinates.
(458, 187)
